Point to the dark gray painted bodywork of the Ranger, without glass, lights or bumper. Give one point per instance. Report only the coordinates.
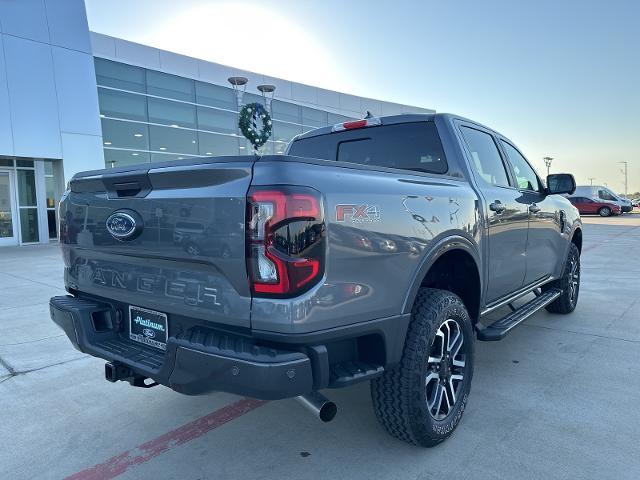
(373, 269)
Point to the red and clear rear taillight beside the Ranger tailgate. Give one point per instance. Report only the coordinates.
(285, 240)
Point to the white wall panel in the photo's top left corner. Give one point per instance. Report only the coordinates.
(24, 18)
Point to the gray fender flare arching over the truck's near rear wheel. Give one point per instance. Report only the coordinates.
(442, 246)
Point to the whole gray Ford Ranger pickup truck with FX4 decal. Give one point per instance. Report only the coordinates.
(373, 250)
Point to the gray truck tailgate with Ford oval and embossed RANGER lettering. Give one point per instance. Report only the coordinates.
(187, 255)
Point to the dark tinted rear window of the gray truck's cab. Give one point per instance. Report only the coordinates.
(410, 146)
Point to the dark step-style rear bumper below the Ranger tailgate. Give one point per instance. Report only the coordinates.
(196, 361)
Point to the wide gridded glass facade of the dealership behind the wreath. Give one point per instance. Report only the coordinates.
(151, 116)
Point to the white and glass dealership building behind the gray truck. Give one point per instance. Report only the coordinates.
(73, 100)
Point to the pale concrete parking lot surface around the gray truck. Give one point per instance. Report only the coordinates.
(558, 398)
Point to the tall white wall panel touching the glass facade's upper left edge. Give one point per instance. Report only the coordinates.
(76, 88)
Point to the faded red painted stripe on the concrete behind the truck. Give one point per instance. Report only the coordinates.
(120, 463)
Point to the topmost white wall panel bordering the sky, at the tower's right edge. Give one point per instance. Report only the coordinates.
(68, 24)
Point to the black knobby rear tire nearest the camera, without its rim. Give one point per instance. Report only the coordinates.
(400, 394)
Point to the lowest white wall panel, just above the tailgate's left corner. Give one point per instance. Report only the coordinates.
(81, 152)
